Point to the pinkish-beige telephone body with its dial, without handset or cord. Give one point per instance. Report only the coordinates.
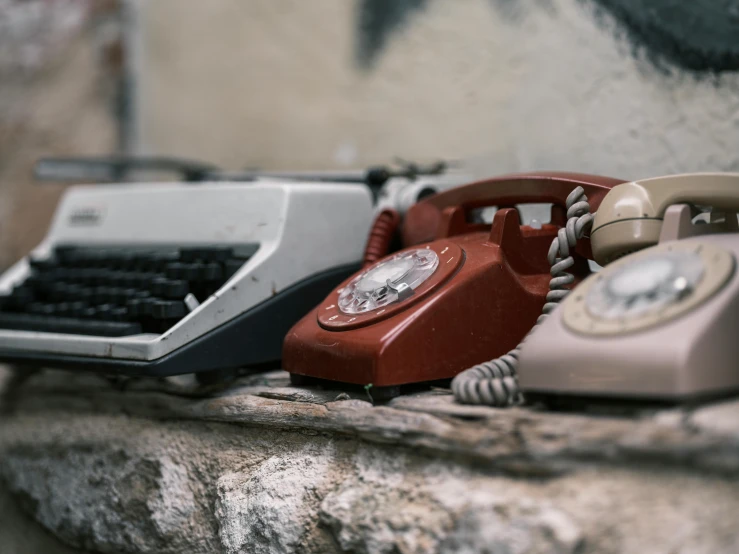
(661, 324)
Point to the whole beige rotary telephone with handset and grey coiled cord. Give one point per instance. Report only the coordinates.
(659, 322)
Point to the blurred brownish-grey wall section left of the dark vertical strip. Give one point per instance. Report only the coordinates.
(55, 100)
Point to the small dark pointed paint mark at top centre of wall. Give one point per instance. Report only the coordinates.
(377, 20)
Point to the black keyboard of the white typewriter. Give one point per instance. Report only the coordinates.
(114, 292)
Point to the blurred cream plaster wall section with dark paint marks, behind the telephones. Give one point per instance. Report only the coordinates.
(531, 84)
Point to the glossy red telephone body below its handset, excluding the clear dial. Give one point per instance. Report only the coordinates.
(458, 318)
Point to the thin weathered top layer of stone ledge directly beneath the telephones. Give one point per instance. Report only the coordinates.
(514, 440)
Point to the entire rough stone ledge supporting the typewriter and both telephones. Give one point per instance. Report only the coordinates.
(265, 467)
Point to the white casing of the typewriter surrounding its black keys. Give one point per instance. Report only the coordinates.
(302, 229)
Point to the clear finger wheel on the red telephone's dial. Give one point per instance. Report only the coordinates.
(388, 281)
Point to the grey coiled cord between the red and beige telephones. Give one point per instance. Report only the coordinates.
(495, 383)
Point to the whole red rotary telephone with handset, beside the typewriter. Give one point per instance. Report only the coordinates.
(458, 293)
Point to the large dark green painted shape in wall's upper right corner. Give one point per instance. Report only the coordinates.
(694, 35)
